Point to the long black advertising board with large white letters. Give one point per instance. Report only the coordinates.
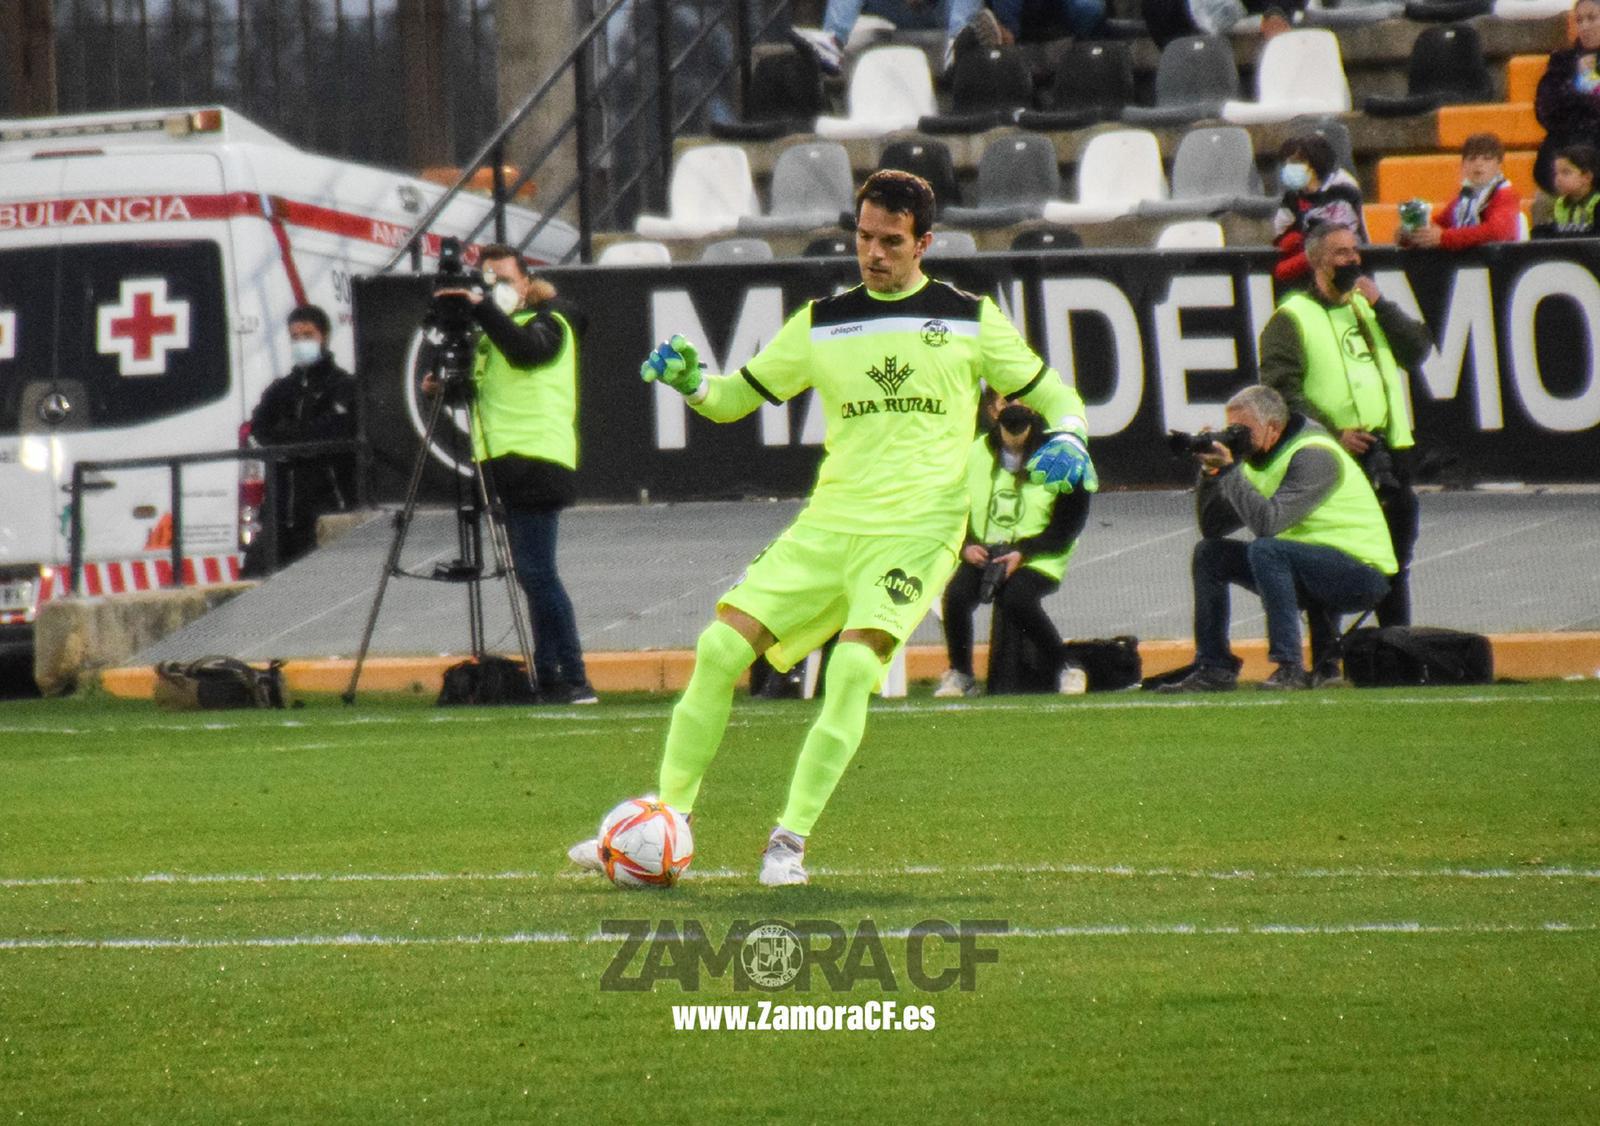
(1156, 341)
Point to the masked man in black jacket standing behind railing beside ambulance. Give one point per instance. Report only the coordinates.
(316, 402)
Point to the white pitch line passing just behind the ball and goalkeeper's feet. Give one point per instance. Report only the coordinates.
(1118, 871)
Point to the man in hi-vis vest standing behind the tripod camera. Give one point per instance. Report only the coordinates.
(526, 436)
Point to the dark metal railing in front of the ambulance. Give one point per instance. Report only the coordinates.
(175, 466)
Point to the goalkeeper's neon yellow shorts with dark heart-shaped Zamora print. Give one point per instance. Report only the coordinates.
(812, 583)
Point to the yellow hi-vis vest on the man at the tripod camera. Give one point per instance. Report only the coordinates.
(529, 412)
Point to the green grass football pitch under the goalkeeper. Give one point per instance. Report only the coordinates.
(1332, 908)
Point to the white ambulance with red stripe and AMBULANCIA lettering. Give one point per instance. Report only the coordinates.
(148, 262)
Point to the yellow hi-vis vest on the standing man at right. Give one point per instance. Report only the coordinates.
(1353, 385)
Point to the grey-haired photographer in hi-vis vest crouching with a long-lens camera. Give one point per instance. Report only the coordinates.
(1321, 538)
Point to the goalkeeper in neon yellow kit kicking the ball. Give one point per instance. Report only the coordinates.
(897, 364)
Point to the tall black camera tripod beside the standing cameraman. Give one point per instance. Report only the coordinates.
(474, 508)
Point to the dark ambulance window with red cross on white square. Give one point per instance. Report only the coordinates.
(127, 333)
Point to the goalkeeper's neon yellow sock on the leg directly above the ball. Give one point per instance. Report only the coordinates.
(702, 716)
